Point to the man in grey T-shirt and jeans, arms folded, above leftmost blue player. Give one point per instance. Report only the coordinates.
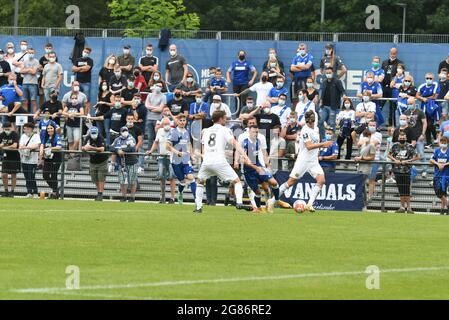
(156, 100)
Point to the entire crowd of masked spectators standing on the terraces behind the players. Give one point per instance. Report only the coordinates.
(139, 103)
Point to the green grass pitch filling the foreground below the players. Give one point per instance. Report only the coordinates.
(148, 251)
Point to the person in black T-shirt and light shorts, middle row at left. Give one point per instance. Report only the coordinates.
(72, 111)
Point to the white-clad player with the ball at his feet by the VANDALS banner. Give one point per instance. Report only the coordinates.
(307, 161)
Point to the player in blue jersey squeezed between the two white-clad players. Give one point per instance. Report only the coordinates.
(255, 170)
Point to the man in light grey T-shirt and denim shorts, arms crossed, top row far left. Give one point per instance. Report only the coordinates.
(29, 72)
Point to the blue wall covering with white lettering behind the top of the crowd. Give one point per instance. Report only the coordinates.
(201, 54)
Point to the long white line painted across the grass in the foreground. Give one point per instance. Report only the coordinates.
(229, 280)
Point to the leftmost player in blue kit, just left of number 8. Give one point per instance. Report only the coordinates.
(178, 143)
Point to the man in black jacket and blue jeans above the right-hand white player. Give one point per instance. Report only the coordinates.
(331, 93)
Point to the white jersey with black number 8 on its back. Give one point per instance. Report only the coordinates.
(215, 139)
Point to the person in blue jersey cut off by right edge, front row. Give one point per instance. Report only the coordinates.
(440, 160)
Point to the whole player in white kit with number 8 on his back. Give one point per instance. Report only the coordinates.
(214, 142)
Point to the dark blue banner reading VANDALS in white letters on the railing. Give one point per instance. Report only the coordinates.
(342, 192)
